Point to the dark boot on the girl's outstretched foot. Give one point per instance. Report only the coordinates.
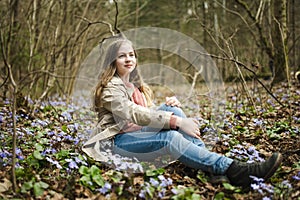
(239, 173)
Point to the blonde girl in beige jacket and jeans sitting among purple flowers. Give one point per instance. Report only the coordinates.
(123, 104)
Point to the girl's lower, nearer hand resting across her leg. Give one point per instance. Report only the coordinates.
(190, 126)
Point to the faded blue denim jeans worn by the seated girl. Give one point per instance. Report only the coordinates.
(150, 143)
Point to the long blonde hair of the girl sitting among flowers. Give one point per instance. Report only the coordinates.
(109, 70)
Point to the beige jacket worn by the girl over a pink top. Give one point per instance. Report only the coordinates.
(117, 111)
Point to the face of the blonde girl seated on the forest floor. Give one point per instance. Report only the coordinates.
(126, 60)
